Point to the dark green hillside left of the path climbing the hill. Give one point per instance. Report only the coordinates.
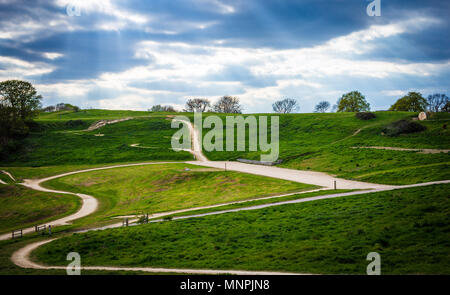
(54, 143)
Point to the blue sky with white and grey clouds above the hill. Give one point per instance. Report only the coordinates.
(129, 54)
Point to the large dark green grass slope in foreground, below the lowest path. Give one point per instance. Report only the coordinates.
(408, 228)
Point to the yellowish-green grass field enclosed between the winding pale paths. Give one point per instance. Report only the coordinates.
(167, 187)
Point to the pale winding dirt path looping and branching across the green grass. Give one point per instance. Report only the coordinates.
(22, 256)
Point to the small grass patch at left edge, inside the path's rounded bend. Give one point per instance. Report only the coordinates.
(21, 207)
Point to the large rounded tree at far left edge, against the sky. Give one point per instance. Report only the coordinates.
(21, 98)
